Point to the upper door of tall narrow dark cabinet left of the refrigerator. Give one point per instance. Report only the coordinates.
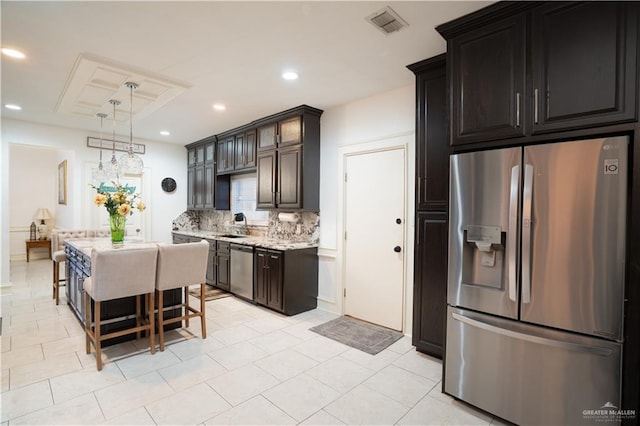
(432, 146)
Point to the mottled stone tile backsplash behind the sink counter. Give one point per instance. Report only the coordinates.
(295, 227)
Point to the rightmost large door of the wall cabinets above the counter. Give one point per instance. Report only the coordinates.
(289, 178)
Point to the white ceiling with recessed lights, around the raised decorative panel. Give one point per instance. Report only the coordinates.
(229, 52)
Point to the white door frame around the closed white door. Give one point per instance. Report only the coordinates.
(403, 141)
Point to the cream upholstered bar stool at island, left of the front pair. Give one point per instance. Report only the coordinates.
(116, 274)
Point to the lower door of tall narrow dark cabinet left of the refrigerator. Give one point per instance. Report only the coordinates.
(430, 282)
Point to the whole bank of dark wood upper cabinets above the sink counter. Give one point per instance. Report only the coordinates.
(284, 150)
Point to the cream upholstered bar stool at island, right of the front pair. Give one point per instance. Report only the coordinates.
(179, 266)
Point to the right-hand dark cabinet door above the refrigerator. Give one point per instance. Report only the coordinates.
(584, 64)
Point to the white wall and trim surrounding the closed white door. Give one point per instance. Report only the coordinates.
(383, 116)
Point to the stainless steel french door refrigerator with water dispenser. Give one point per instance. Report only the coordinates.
(536, 281)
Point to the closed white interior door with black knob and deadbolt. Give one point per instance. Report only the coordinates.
(374, 237)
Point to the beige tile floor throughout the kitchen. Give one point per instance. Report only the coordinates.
(256, 367)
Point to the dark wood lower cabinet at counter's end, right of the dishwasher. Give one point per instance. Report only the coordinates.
(286, 281)
